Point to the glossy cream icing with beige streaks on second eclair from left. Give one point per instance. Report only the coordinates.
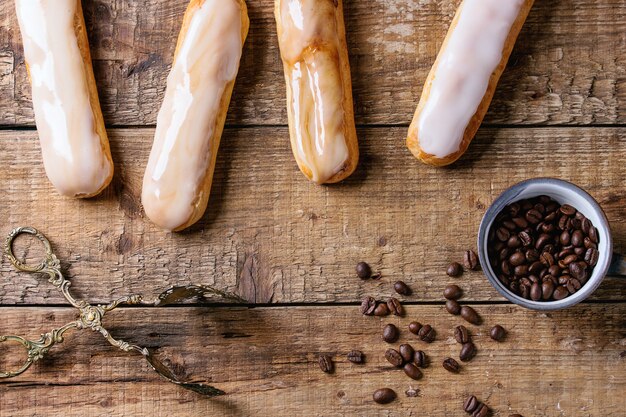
(185, 139)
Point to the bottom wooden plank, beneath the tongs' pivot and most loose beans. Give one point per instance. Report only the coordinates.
(568, 363)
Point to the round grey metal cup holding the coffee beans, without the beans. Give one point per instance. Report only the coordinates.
(564, 193)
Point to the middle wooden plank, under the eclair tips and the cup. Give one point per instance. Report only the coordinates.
(296, 241)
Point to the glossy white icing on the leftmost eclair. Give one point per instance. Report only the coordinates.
(73, 154)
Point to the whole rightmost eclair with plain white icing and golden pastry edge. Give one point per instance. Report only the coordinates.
(461, 83)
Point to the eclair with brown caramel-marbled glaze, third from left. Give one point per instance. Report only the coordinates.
(312, 41)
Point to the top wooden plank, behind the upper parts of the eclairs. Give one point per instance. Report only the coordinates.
(569, 66)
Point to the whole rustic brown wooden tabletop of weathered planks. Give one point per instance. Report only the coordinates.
(290, 247)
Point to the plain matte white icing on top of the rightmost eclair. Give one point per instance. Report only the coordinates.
(465, 66)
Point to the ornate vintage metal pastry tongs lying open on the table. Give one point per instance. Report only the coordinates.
(91, 316)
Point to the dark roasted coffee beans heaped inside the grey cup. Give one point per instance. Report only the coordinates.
(542, 250)
